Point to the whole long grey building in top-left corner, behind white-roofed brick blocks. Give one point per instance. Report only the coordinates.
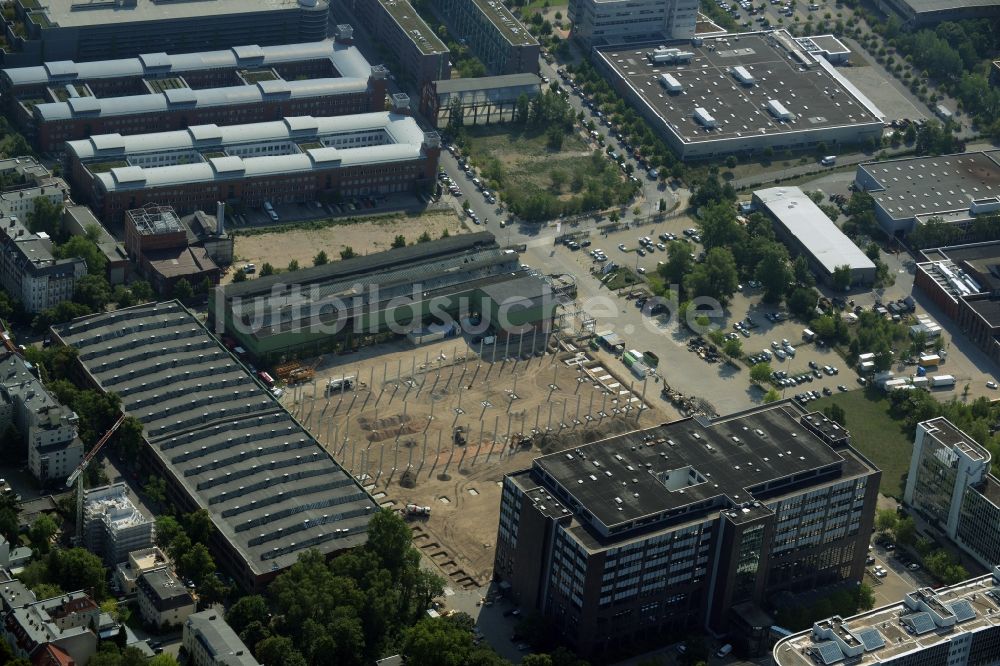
(59, 30)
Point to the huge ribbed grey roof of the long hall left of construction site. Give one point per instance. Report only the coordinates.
(270, 488)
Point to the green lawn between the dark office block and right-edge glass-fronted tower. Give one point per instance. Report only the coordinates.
(877, 435)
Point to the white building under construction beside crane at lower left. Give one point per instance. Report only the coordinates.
(113, 526)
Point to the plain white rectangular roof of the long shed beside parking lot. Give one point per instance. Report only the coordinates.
(804, 220)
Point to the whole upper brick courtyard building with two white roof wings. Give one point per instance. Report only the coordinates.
(65, 101)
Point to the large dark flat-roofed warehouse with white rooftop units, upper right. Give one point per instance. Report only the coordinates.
(741, 94)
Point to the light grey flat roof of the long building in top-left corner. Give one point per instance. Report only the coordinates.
(84, 13)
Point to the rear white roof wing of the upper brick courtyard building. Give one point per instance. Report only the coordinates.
(346, 59)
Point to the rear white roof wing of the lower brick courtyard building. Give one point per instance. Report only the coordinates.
(401, 130)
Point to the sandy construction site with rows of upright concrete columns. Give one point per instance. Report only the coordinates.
(431, 430)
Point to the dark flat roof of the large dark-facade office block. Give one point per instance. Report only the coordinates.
(689, 468)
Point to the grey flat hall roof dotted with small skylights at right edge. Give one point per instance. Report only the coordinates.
(933, 185)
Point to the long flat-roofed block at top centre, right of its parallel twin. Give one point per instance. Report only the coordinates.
(497, 38)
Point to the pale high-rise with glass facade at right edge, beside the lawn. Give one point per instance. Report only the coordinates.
(950, 487)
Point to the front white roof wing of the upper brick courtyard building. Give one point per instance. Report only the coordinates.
(198, 99)
